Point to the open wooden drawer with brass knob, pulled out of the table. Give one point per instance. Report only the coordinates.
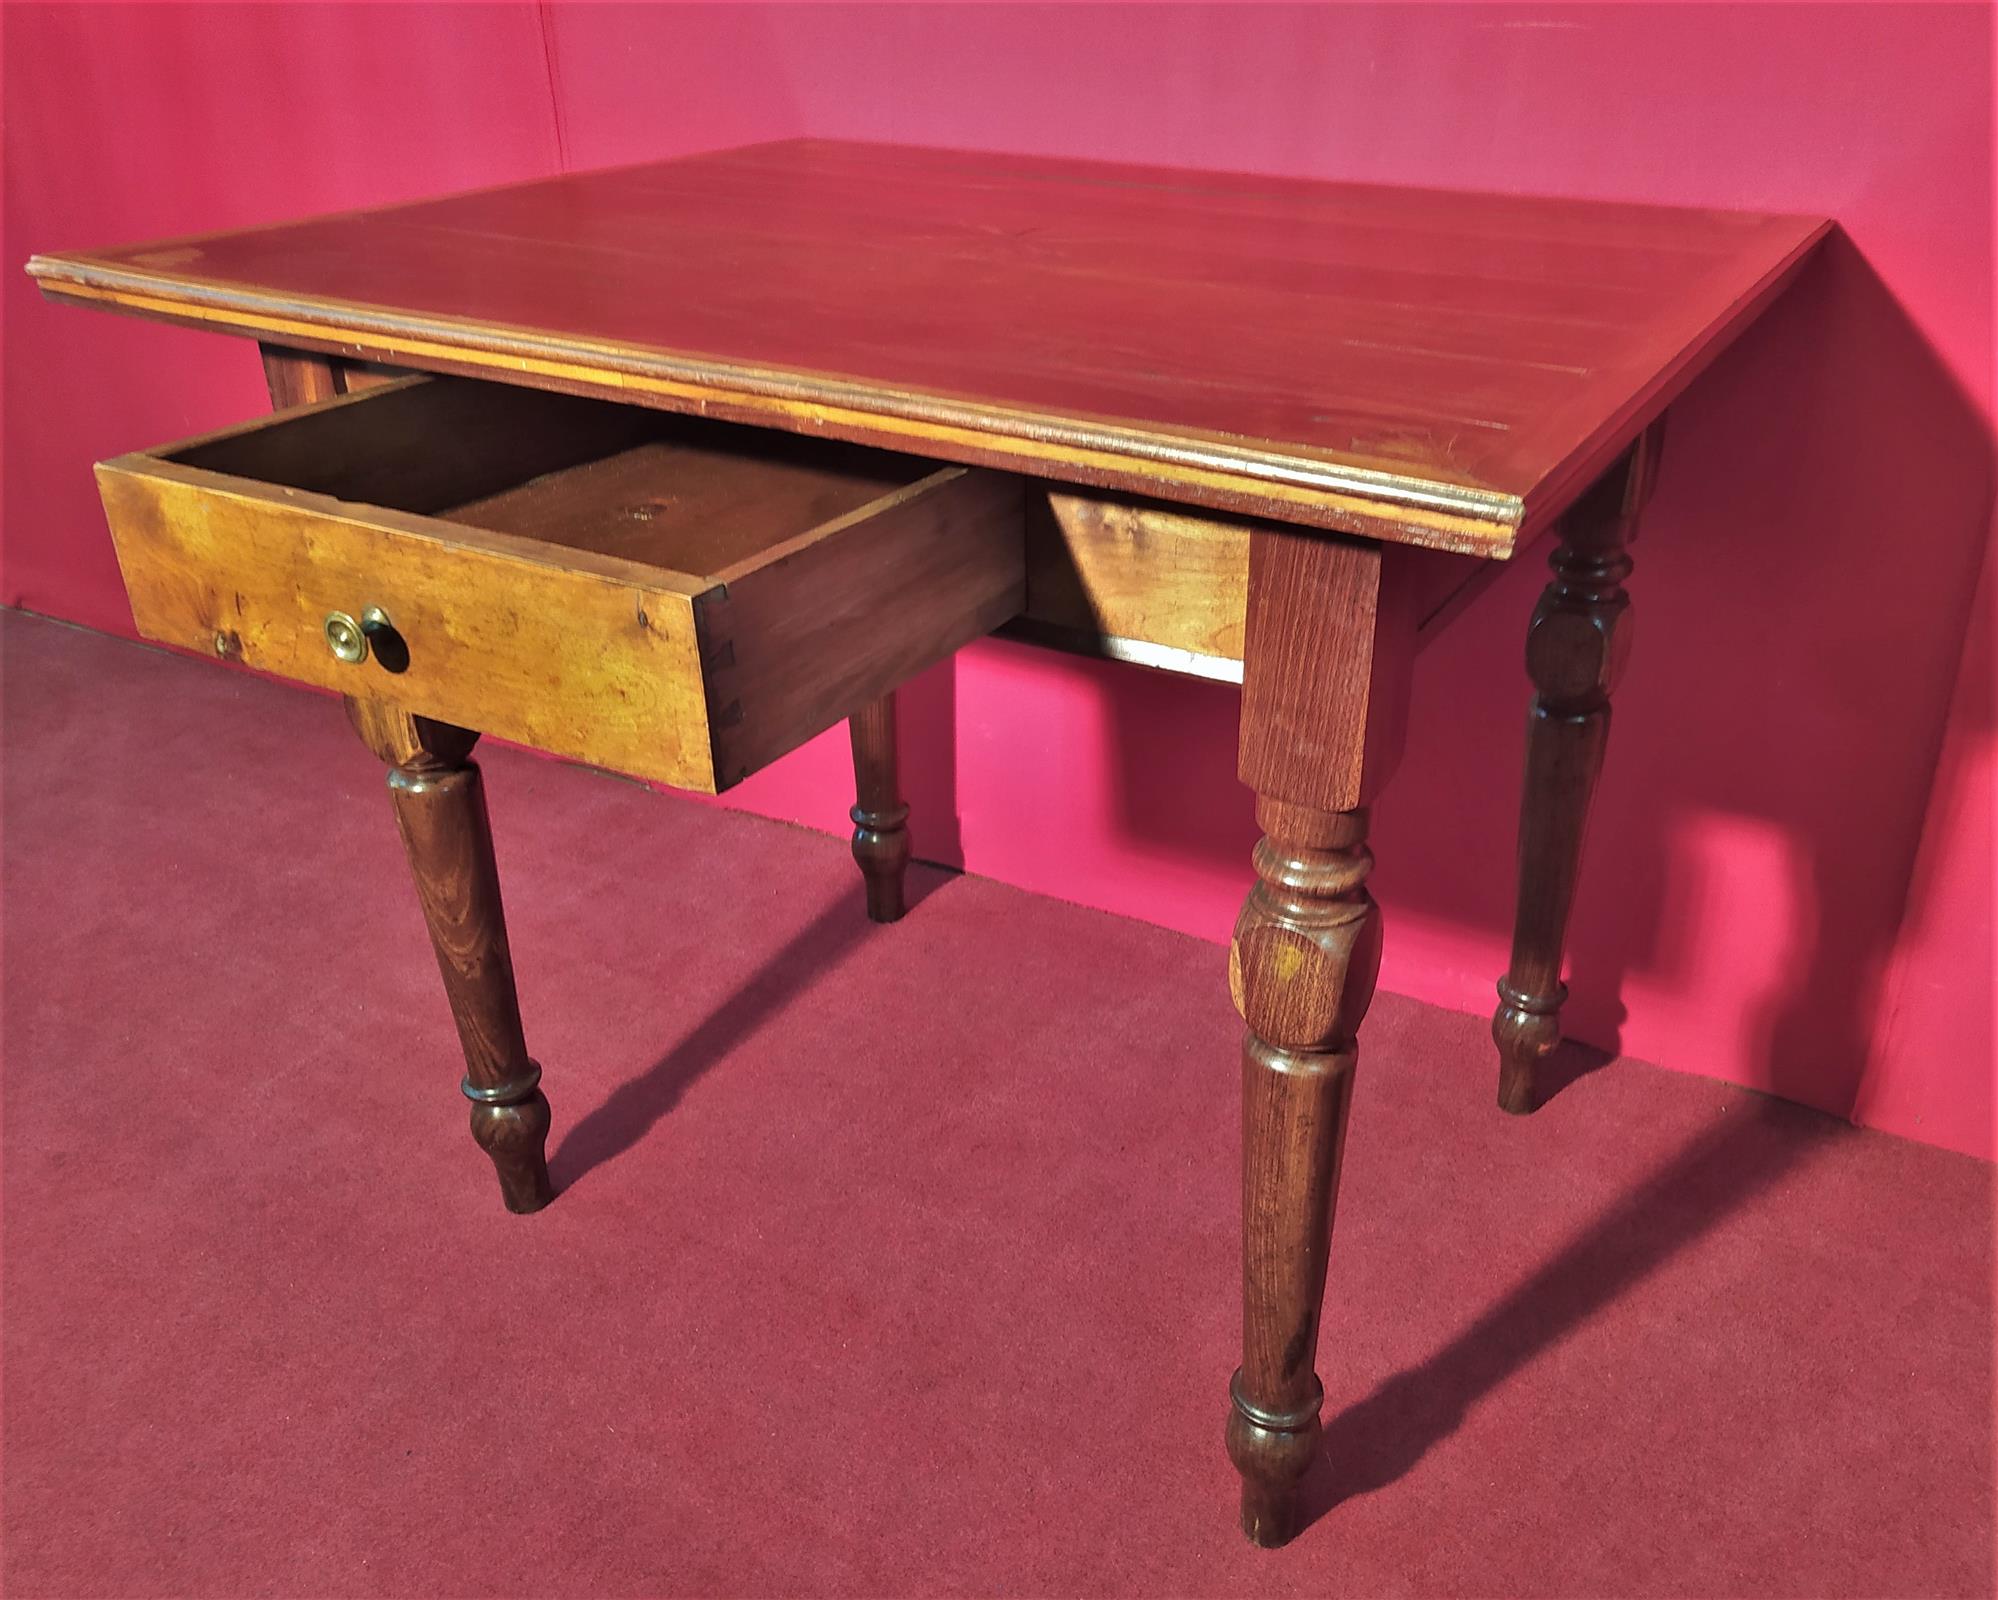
(666, 596)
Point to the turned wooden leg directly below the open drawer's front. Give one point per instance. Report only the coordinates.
(441, 810)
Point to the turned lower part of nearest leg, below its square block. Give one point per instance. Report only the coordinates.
(1304, 962)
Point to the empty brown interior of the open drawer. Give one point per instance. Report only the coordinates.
(672, 492)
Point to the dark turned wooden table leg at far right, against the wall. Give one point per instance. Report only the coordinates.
(1575, 652)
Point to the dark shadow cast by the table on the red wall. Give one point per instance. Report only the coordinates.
(1801, 604)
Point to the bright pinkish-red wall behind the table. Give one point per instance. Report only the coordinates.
(1791, 868)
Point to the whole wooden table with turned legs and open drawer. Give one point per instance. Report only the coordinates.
(730, 446)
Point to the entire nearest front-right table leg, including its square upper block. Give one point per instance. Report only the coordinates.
(1326, 672)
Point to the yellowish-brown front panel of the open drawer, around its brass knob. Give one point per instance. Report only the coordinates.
(574, 662)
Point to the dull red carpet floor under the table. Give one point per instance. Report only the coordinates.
(886, 1261)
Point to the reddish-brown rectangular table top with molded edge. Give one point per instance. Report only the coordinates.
(1428, 367)
